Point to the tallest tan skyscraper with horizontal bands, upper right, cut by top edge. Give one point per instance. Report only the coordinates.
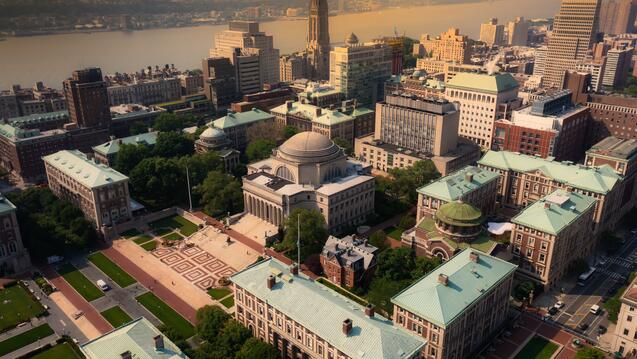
(574, 32)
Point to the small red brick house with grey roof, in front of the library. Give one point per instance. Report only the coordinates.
(348, 261)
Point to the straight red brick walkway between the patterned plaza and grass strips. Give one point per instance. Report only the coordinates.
(147, 280)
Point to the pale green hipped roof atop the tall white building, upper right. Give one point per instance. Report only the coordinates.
(493, 84)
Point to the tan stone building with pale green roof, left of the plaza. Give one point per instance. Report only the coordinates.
(100, 192)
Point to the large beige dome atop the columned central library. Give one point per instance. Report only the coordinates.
(309, 147)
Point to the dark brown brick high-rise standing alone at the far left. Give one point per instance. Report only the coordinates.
(87, 98)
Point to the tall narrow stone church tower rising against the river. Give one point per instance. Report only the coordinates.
(318, 41)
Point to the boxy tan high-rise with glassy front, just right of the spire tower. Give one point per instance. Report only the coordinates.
(359, 70)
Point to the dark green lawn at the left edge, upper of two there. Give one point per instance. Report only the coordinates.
(16, 306)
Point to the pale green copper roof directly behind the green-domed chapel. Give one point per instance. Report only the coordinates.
(456, 185)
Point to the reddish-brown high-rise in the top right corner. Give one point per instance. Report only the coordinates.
(617, 16)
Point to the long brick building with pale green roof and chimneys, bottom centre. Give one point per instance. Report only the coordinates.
(302, 318)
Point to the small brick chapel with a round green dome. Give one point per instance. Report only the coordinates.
(453, 227)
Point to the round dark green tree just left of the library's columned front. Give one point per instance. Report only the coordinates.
(220, 193)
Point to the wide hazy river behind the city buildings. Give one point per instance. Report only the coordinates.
(52, 58)
